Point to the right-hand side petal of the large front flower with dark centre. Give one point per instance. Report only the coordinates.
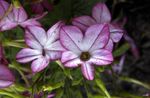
(101, 57)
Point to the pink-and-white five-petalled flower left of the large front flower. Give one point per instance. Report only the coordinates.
(43, 46)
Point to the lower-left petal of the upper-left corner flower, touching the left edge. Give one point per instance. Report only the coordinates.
(6, 24)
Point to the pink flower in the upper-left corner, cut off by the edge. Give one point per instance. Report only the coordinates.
(17, 16)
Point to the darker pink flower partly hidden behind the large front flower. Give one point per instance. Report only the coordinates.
(100, 15)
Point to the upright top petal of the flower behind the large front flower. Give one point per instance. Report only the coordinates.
(101, 13)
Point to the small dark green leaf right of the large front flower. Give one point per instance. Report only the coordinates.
(121, 50)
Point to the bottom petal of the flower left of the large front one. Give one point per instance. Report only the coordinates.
(39, 64)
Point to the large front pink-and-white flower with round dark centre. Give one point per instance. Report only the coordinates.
(85, 50)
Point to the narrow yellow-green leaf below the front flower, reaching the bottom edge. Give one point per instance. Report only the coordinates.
(101, 85)
